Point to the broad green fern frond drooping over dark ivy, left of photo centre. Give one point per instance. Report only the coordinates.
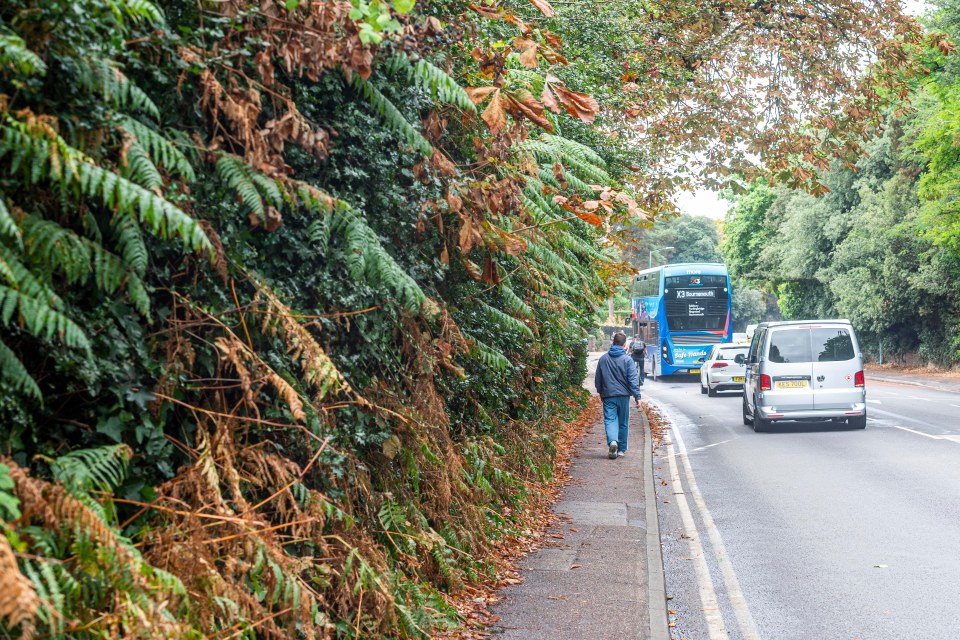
(369, 261)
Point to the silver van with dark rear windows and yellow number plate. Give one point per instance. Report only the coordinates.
(807, 370)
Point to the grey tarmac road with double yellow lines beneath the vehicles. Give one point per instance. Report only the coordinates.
(811, 532)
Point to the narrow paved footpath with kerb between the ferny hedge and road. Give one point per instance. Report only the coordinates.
(603, 579)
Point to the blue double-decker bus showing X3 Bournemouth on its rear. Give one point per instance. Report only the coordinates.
(681, 311)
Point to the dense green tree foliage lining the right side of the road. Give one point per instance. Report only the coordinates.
(879, 248)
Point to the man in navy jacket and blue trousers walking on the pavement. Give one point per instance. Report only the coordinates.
(616, 381)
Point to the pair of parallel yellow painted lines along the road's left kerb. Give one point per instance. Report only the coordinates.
(737, 600)
